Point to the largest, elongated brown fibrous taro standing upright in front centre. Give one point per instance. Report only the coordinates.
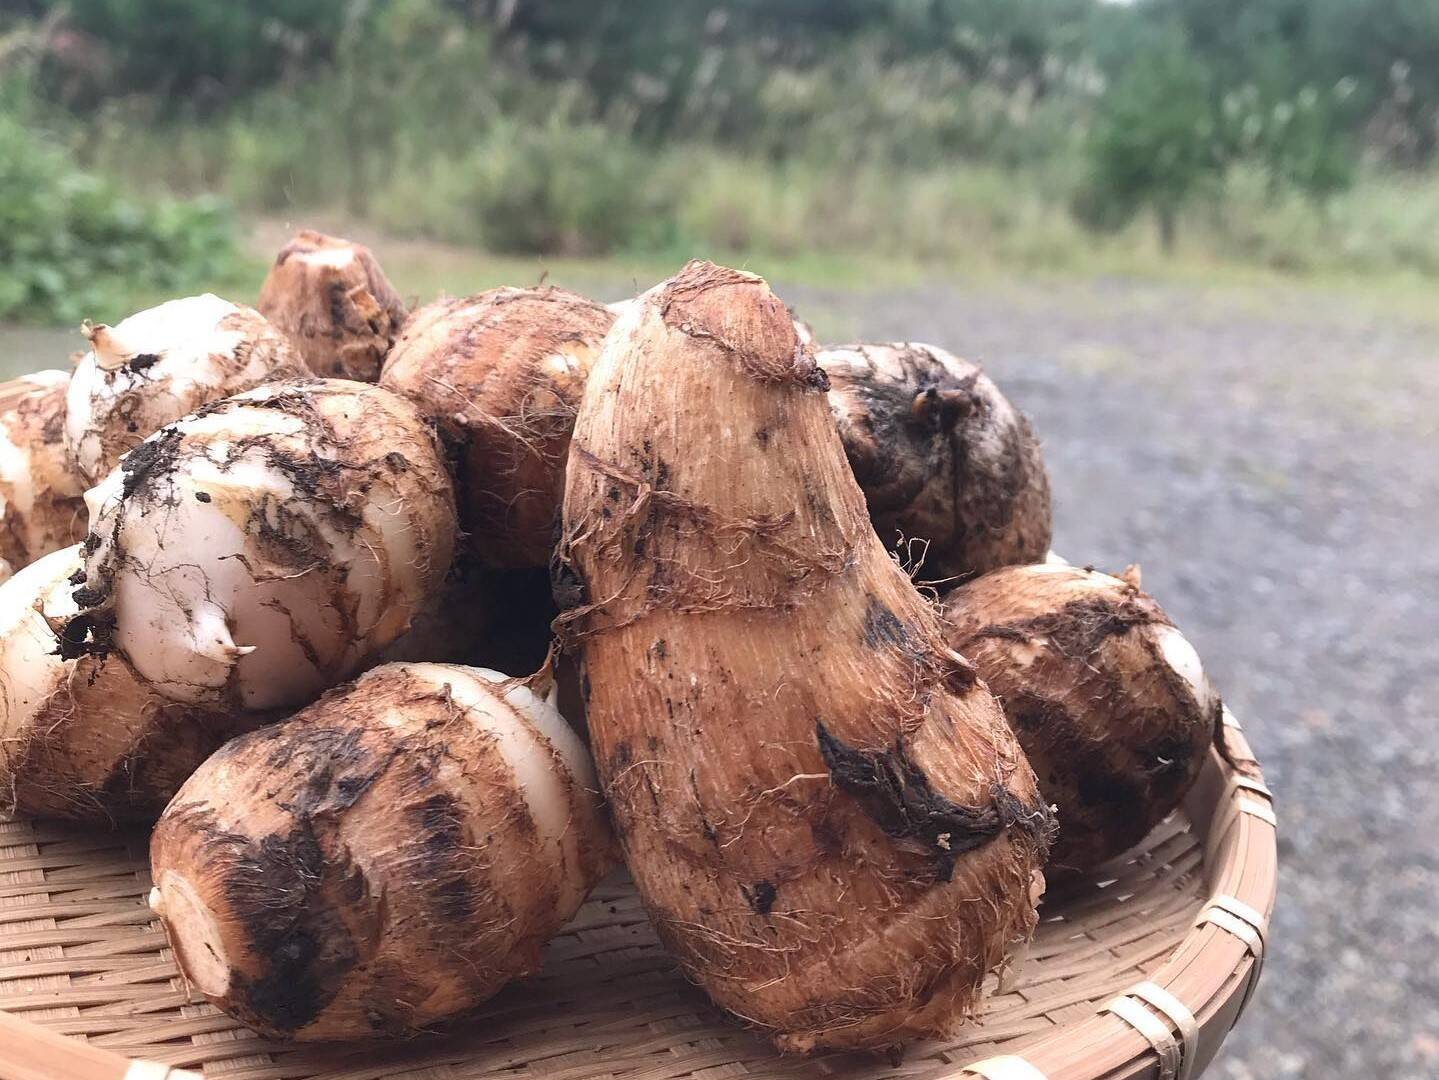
(828, 819)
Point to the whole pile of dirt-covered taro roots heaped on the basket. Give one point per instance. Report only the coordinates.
(405, 628)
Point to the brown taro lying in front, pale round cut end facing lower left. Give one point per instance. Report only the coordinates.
(389, 858)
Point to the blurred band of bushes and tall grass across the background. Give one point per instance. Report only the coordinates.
(1054, 134)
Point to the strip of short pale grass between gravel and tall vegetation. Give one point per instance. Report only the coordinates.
(424, 271)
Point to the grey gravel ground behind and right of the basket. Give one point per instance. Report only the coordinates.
(1271, 459)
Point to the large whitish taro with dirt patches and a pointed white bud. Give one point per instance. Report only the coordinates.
(264, 549)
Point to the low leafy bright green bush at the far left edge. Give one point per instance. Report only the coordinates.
(68, 241)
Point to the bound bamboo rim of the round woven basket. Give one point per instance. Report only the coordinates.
(1169, 1026)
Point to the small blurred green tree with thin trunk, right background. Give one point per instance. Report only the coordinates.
(1153, 145)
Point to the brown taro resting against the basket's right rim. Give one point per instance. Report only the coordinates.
(1107, 698)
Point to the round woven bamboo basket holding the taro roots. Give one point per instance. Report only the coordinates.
(1138, 973)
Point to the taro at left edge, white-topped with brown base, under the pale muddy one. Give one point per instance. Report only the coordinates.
(86, 738)
